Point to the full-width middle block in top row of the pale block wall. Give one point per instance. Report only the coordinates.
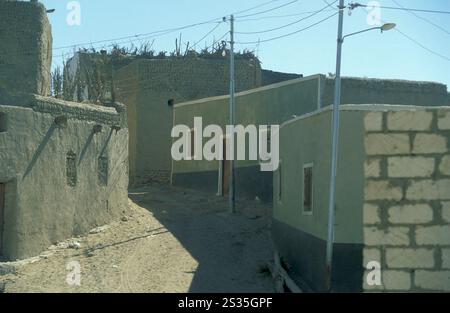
(409, 120)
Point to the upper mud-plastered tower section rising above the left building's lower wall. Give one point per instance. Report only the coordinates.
(25, 49)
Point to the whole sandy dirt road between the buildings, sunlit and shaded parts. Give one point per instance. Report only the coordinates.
(169, 240)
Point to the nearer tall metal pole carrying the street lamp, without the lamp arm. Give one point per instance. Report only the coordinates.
(334, 147)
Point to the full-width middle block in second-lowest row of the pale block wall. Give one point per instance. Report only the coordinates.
(410, 258)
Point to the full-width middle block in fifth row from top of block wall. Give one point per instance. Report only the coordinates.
(411, 214)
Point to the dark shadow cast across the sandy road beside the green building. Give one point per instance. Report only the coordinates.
(232, 250)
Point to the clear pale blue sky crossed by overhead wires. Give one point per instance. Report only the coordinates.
(388, 55)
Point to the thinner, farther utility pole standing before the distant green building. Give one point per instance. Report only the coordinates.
(232, 198)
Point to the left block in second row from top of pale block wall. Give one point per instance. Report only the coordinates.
(387, 144)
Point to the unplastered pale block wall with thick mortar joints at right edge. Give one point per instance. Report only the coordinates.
(407, 198)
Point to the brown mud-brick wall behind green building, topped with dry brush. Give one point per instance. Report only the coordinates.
(147, 86)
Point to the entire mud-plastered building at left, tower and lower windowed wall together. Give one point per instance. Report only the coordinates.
(63, 165)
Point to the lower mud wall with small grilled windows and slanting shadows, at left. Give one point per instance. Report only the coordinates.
(65, 170)
